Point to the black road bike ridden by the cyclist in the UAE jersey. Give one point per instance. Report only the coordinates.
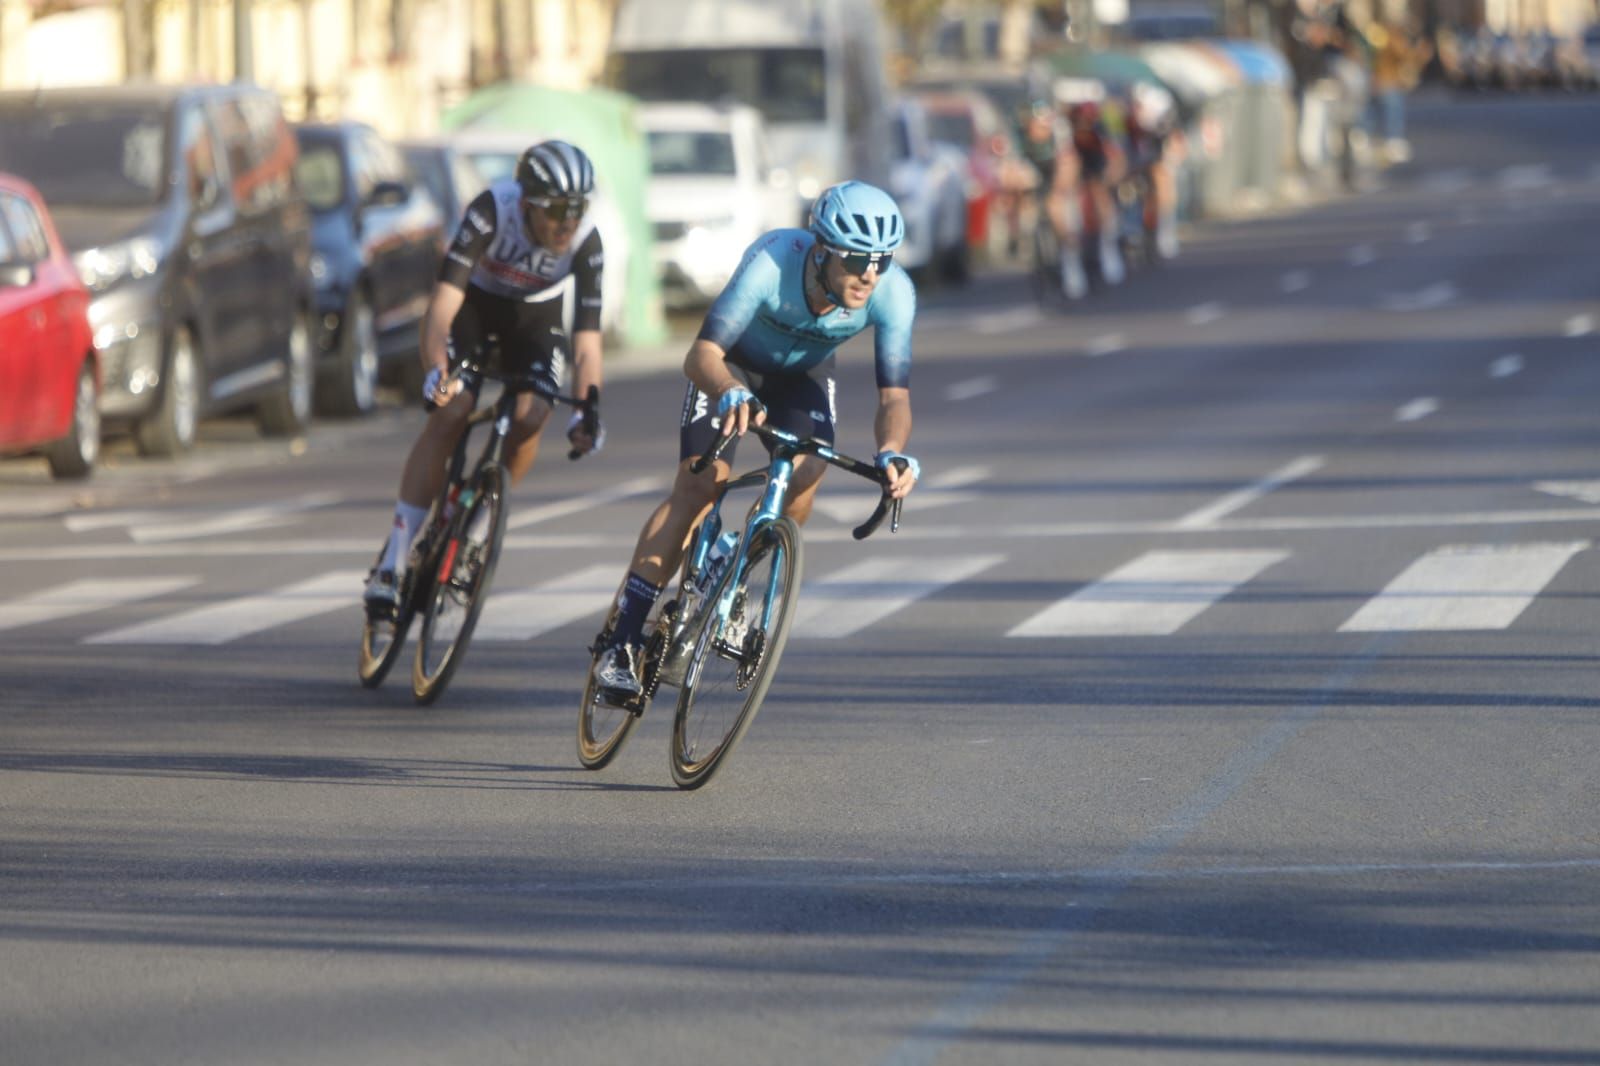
(452, 561)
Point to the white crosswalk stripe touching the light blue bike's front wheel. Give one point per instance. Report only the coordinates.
(862, 595)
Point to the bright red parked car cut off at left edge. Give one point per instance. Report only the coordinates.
(50, 393)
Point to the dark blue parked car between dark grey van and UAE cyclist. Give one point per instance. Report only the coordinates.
(377, 244)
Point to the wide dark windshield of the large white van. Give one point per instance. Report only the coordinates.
(783, 84)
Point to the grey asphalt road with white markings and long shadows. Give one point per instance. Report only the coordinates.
(1228, 695)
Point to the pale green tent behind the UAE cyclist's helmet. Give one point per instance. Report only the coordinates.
(602, 124)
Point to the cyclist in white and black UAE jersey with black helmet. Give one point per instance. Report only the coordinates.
(524, 249)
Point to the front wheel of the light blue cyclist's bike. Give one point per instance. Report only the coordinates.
(705, 734)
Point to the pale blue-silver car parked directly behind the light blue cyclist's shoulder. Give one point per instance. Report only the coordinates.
(929, 182)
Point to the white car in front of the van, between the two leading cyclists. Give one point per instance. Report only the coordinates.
(711, 194)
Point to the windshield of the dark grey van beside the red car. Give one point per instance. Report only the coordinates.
(87, 156)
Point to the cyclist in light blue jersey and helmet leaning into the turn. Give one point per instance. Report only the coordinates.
(770, 339)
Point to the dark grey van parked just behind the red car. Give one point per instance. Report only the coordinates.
(185, 222)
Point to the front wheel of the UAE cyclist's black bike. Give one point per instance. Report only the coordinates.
(462, 583)
